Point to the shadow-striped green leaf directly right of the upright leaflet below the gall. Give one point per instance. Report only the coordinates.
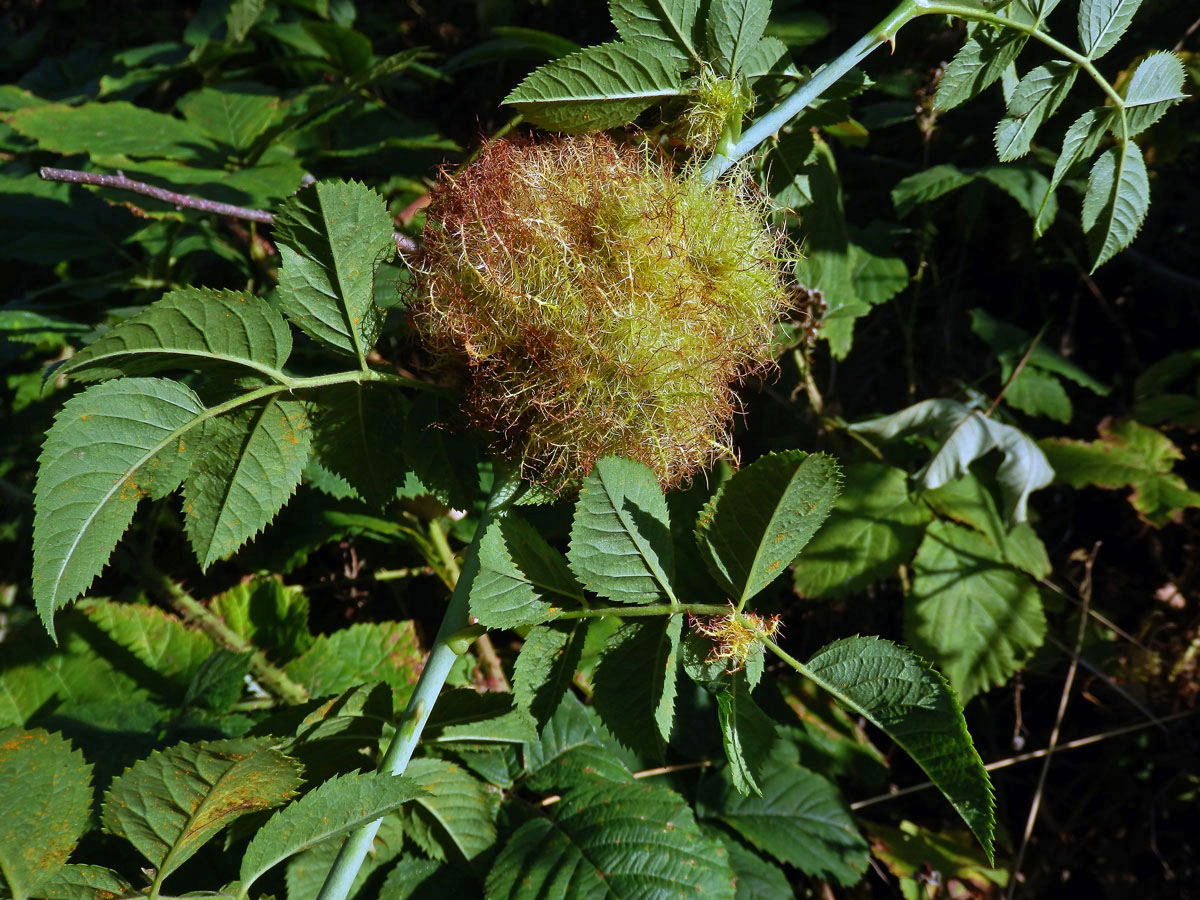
(872, 530)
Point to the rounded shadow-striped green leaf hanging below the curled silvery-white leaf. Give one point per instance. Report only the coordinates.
(969, 613)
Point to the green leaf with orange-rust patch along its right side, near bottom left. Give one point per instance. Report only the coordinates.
(172, 803)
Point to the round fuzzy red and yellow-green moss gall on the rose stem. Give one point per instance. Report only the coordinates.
(598, 304)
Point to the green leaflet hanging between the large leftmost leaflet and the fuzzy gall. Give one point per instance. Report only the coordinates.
(248, 465)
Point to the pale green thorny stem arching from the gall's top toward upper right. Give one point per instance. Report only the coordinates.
(885, 33)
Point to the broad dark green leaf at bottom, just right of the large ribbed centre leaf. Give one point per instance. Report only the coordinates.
(800, 819)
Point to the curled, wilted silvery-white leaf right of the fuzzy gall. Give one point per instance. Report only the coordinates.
(965, 436)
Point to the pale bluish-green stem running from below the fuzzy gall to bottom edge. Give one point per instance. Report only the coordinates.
(442, 657)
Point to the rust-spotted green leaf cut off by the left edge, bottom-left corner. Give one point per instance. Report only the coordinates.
(45, 807)
